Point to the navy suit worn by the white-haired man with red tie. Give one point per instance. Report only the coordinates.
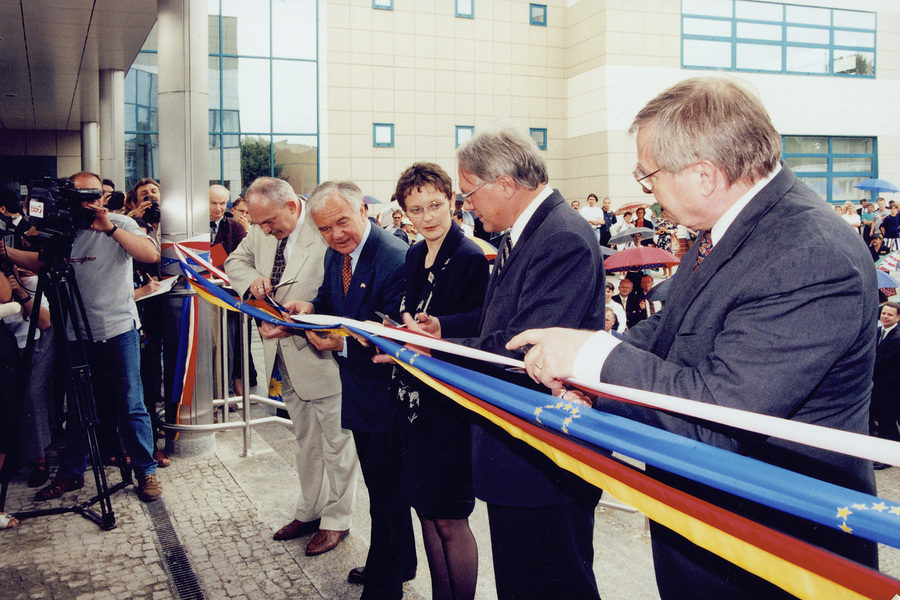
(368, 407)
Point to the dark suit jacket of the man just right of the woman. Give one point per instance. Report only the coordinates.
(552, 278)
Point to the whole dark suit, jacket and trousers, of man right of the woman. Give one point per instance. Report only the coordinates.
(552, 278)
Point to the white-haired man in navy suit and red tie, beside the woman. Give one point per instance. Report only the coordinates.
(364, 274)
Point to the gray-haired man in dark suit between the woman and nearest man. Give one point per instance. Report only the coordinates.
(549, 271)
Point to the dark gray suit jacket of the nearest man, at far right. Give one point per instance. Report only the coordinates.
(779, 319)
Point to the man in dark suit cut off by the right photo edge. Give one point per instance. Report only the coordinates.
(886, 377)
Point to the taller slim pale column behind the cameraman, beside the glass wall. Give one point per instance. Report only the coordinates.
(112, 126)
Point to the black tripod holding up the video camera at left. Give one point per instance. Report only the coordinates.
(58, 283)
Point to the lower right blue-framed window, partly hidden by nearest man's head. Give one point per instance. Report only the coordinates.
(831, 166)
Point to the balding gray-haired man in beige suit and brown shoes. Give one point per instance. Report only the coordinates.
(285, 250)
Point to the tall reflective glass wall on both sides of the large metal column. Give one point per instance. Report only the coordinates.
(263, 100)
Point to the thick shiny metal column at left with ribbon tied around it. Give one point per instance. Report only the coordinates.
(184, 155)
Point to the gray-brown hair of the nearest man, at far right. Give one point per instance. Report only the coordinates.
(715, 119)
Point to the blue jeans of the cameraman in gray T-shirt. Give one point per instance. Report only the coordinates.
(116, 377)
